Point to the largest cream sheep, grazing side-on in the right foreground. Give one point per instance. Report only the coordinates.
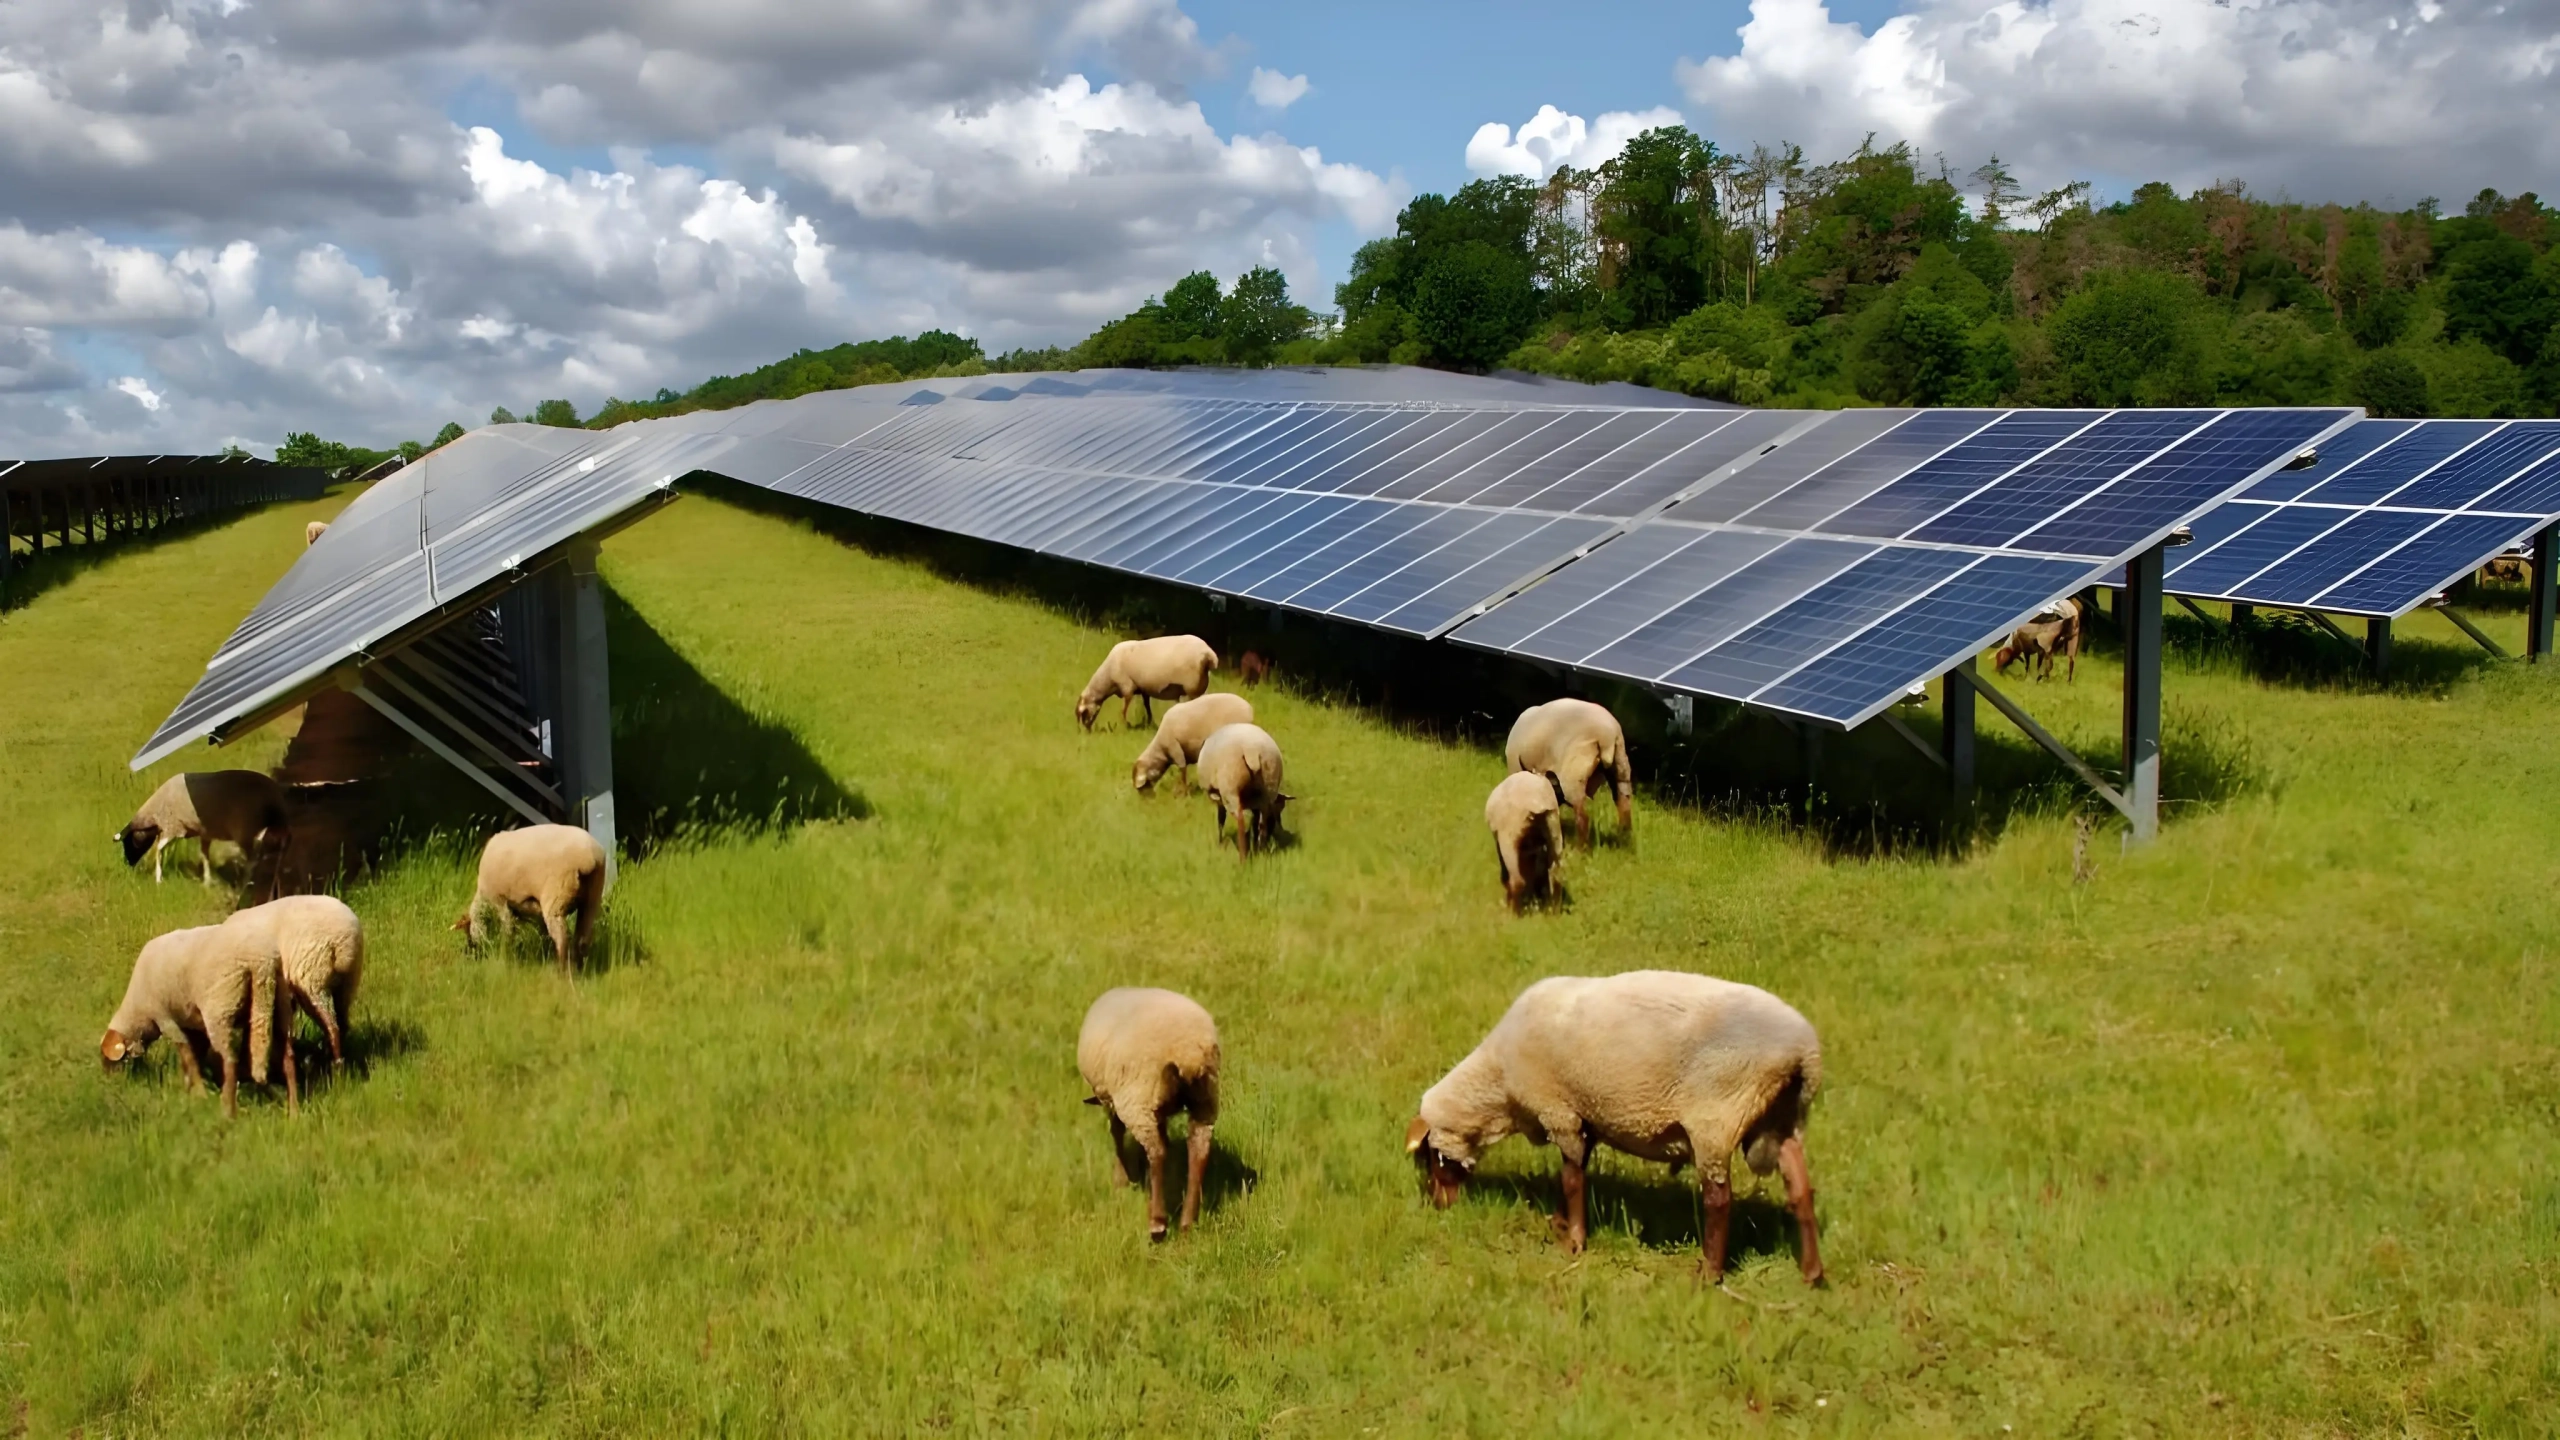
(1658, 1065)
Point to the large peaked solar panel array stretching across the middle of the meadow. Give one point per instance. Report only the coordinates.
(1811, 562)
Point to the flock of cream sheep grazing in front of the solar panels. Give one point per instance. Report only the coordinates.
(1658, 1065)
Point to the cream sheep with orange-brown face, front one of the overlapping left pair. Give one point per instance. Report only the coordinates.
(201, 985)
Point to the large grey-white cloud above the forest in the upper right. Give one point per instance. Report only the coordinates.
(2318, 99)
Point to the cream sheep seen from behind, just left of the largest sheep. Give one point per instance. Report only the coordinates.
(1148, 1054)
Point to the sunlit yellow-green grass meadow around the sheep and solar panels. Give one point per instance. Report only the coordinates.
(2254, 1131)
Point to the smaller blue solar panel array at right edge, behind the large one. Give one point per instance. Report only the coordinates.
(2392, 514)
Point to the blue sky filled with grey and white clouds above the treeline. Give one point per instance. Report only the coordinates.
(227, 219)
